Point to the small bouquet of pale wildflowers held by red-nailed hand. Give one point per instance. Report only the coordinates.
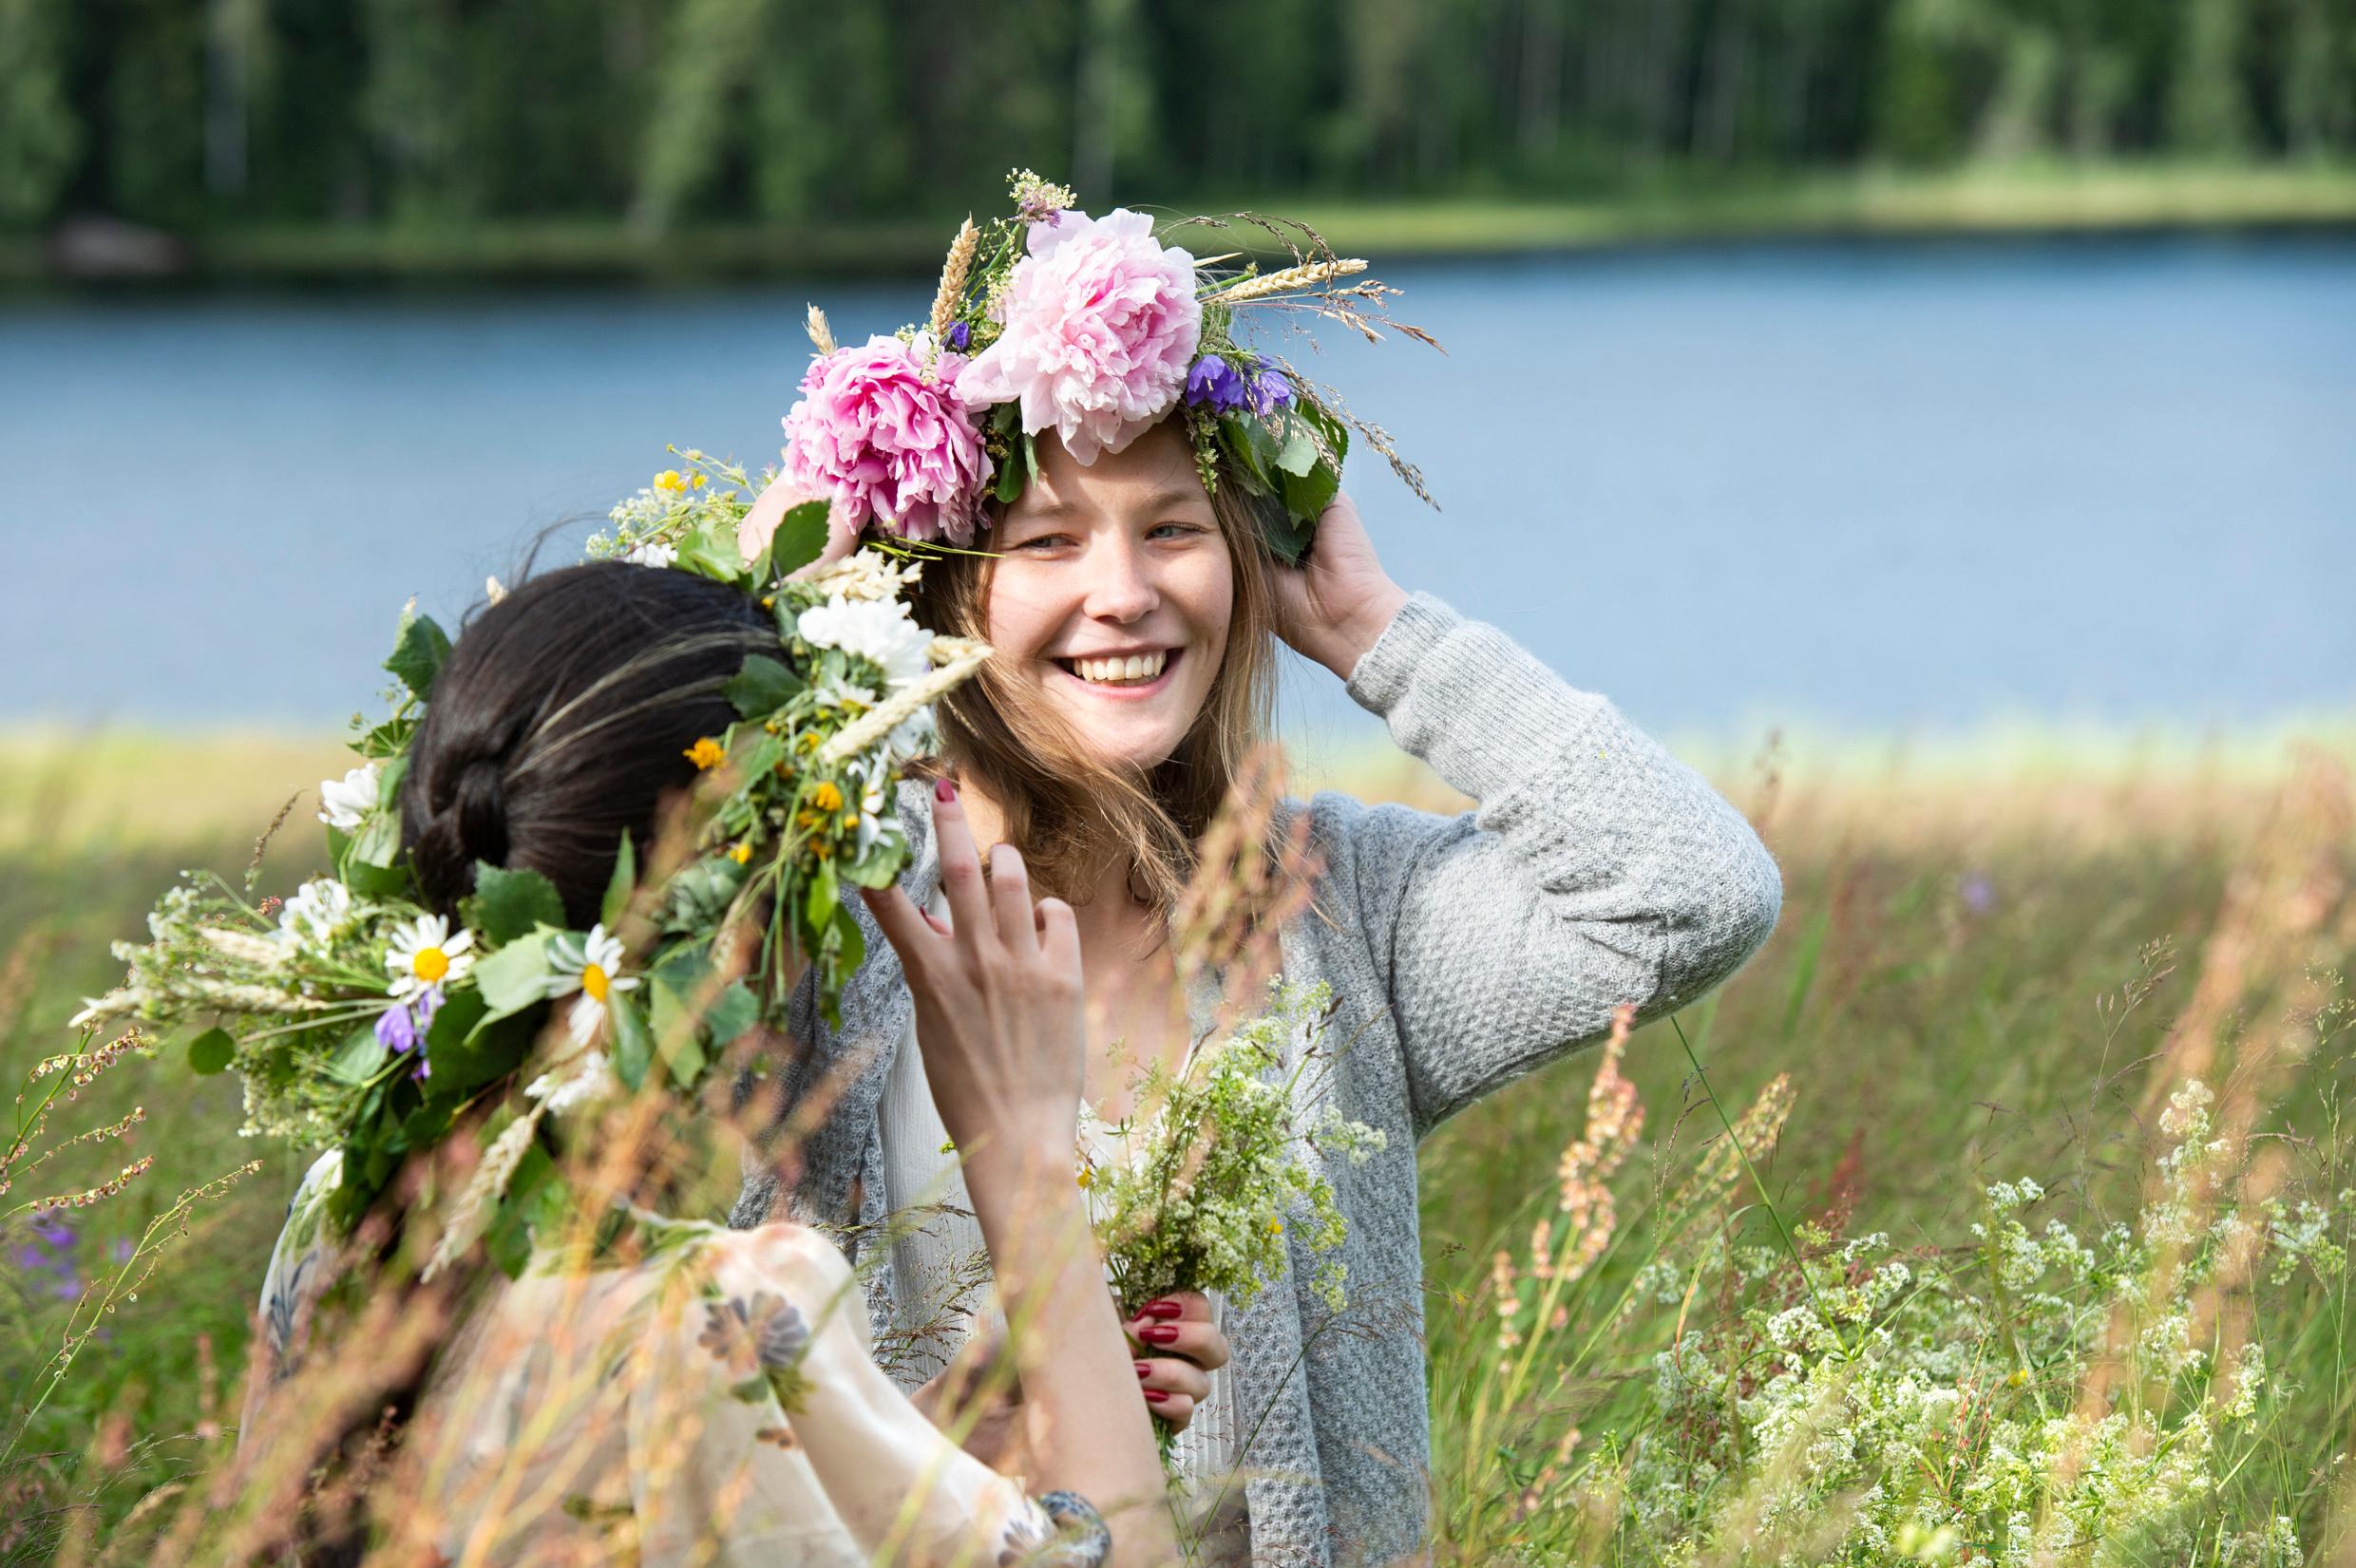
(1219, 1167)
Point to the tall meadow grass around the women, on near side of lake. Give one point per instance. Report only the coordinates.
(1990, 966)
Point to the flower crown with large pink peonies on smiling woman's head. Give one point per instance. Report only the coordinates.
(1090, 328)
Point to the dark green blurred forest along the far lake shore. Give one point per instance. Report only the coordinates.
(190, 114)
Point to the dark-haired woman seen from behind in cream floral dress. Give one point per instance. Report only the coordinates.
(717, 1402)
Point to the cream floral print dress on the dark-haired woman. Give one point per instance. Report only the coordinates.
(710, 1404)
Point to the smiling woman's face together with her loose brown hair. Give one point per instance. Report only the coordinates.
(1130, 562)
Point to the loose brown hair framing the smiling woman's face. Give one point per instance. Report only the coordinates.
(1068, 811)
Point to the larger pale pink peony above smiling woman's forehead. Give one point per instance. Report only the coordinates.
(1101, 324)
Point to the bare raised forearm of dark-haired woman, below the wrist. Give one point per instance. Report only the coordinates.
(1087, 1428)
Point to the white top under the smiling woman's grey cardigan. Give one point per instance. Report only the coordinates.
(941, 1258)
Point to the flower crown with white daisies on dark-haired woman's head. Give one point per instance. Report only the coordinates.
(366, 1023)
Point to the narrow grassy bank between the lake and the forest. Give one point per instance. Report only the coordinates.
(1978, 201)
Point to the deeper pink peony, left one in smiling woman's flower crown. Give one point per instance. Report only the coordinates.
(885, 444)
